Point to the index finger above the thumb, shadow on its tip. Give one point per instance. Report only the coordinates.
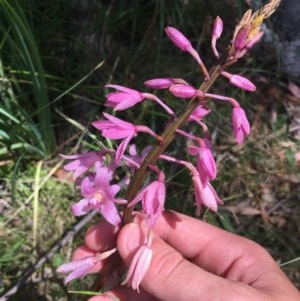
(213, 249)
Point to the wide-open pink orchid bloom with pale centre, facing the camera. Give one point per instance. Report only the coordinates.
(100, 195)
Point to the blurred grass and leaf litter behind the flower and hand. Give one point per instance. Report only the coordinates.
(55, 58)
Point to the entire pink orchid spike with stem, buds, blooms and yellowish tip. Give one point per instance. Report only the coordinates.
(95, 171)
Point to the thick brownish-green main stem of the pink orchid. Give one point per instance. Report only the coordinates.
(167, 136)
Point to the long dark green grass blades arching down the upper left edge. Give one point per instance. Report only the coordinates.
(21, 43)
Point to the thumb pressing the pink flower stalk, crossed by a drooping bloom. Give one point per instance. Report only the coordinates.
(170, 276)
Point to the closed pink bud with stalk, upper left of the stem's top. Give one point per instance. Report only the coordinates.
(185, 45)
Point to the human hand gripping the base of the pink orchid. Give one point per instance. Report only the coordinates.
(193, 260)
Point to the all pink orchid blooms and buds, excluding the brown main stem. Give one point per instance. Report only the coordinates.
(94, 171)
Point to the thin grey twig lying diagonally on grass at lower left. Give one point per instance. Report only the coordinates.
(63, 241)
